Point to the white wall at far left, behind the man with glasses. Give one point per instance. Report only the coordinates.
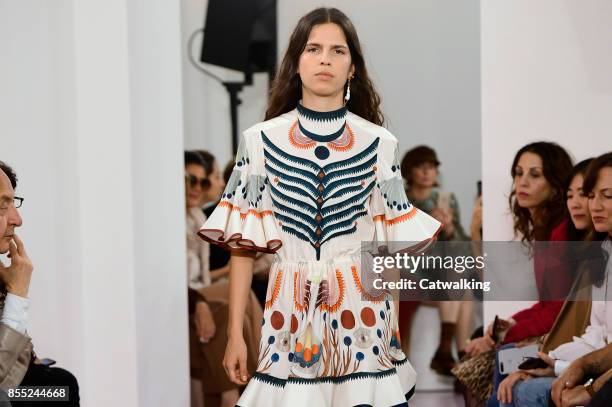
(91, 119)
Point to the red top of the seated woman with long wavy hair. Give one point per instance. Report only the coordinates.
(539, 318)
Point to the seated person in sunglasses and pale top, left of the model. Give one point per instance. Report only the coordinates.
(209, 298)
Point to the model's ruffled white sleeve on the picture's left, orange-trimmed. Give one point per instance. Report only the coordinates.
(243, 219)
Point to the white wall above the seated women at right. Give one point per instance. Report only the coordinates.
(545, 76)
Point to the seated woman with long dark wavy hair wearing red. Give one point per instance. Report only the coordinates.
(539, 173)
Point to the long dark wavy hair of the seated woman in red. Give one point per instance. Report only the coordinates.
(556, 168)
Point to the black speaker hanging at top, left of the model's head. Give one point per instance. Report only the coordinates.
(241, 35)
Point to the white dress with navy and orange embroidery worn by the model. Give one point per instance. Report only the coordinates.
(311, 187)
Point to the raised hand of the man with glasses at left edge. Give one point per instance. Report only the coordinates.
(17, 276)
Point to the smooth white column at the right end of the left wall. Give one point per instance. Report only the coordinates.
(158, 204)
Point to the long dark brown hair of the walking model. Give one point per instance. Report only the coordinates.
(287, 87)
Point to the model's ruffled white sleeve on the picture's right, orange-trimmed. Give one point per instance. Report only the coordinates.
(399, 225)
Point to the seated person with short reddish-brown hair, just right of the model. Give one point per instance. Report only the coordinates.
(419, 169)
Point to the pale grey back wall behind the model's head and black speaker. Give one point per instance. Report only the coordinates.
(423, 56)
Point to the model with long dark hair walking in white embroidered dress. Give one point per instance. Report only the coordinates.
(311, 183)
